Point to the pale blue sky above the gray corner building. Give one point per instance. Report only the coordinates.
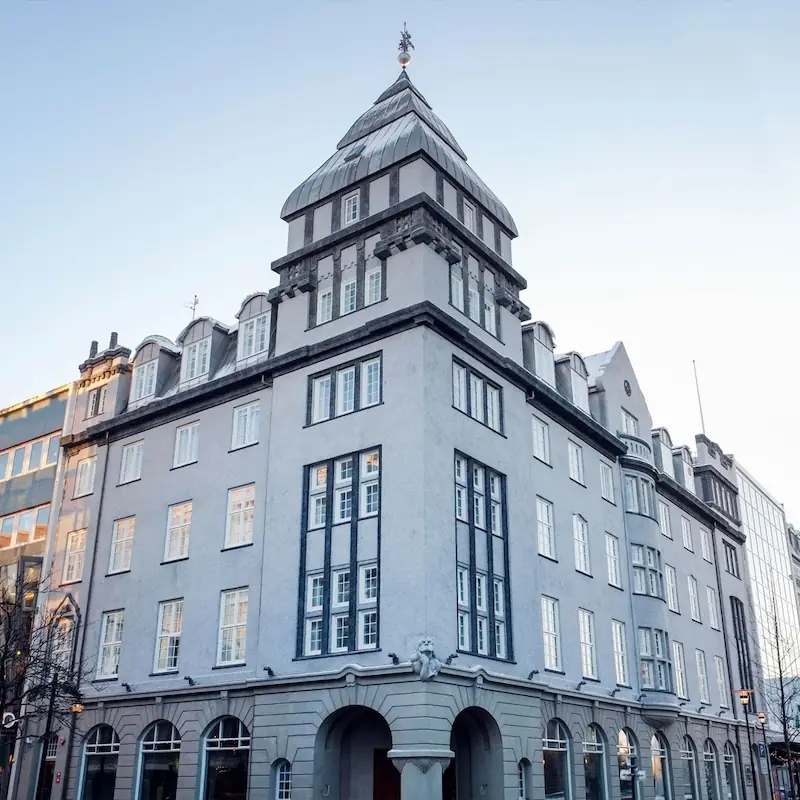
(648, 151)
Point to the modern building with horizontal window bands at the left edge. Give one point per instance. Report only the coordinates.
(29, 447)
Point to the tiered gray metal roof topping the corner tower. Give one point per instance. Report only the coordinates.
(400, 123)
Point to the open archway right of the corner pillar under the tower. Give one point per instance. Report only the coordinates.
(476, 772)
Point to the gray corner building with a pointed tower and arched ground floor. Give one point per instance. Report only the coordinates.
(376, 540)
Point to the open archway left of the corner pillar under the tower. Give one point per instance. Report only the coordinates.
(351, 757)
